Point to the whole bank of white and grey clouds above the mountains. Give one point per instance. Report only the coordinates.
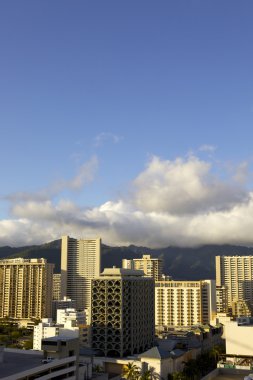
(182, 202)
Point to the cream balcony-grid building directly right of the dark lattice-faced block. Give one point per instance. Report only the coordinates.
(184, 303)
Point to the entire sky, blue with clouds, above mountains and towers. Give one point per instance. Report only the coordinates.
(101, 102)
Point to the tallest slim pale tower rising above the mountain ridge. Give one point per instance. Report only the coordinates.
(80, 263)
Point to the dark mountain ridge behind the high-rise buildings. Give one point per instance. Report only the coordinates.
(180, 263)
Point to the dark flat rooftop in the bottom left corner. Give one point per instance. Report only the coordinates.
(14, 362)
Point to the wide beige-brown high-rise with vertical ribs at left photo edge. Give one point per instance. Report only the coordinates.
(26, 288)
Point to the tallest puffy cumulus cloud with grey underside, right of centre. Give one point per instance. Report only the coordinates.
(182, 187)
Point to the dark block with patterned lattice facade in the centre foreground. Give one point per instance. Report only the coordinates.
(122, 312)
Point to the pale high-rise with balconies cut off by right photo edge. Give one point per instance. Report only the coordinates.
(236, 273)
